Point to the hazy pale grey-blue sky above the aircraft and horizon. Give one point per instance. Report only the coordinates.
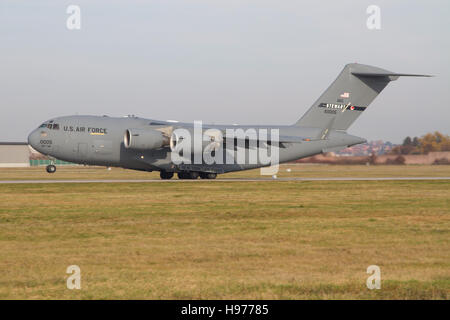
(220, 61)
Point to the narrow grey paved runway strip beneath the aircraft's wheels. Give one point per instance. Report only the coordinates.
(226, 180)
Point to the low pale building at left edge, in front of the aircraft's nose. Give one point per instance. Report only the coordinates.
(14, 154)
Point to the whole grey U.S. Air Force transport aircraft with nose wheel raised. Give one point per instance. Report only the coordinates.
(150, 145)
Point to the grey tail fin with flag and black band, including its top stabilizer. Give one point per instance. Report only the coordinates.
(348, 96)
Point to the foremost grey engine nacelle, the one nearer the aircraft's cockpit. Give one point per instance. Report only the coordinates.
(144, 139)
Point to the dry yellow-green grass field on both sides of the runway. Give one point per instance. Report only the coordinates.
(236, 240)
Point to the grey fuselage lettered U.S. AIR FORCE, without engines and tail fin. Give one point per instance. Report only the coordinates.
(99, 140)
